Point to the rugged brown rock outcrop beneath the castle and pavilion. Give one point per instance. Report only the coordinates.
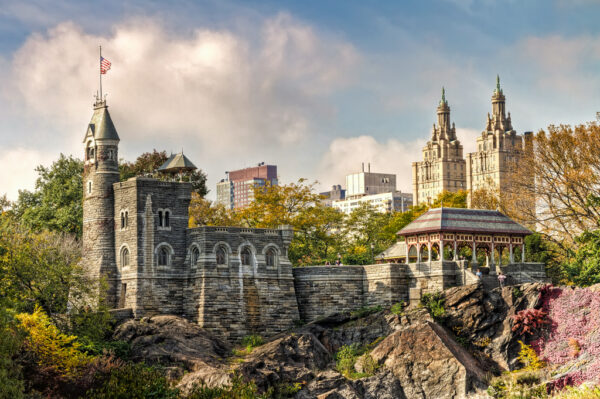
(417, 357)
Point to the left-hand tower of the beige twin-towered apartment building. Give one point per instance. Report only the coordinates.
(443, 166)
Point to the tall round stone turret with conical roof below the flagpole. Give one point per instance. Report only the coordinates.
(101, 171)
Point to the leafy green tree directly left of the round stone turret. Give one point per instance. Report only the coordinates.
(56, 202)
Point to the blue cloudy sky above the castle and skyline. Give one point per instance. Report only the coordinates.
(314, 87)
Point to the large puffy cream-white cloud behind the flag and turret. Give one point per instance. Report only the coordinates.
(228, 99)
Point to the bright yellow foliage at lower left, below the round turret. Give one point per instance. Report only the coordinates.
(52, 348)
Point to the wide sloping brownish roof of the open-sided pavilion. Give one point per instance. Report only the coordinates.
(461, 220)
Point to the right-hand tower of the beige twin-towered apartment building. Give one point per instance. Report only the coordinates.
(498, 149)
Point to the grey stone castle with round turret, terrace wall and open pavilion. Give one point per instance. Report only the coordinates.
(238, 281)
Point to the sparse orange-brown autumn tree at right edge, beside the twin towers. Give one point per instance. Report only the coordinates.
(565, 167)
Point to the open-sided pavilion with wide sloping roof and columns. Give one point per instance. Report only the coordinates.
(454, 228)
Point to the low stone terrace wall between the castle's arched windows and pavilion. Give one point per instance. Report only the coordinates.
(324, 290)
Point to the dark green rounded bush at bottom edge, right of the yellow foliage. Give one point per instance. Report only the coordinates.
(135, 381)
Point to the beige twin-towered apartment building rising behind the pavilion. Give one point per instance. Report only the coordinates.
(444, 168)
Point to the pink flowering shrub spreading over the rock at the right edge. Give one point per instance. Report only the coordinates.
(574, 330)
